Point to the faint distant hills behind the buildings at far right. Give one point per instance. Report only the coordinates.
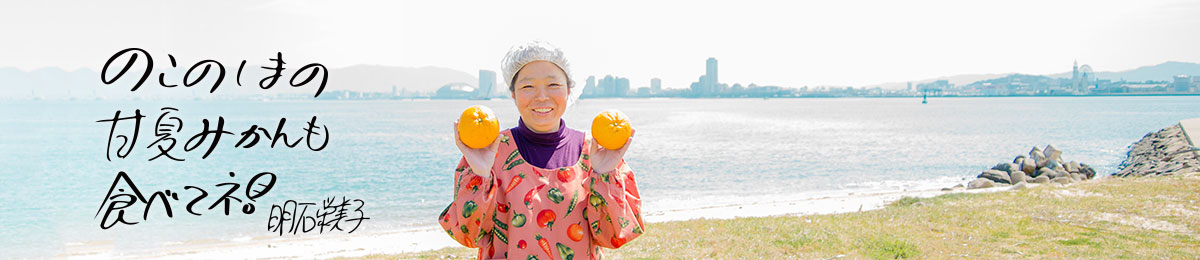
(1166, 71)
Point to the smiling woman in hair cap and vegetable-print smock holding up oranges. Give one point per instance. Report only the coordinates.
(550, 191)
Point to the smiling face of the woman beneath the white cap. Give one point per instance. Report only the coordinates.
(541, 93)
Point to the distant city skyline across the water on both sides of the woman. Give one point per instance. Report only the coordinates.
(1168, 78)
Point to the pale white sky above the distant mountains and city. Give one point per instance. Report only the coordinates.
(787, 44)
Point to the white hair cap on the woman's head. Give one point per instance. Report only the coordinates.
(523, 55)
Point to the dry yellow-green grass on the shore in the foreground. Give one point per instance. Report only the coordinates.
(1111, 219)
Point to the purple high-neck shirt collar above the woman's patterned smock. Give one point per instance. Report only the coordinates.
(549, 150)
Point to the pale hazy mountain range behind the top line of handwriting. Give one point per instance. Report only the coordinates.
(86, 84)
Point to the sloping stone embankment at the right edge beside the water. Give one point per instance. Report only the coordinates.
(1163, 153)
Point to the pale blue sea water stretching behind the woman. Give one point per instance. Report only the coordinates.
(398, 156)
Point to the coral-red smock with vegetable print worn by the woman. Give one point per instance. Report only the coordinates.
(529, 213)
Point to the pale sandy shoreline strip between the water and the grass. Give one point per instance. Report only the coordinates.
(431, 238)
